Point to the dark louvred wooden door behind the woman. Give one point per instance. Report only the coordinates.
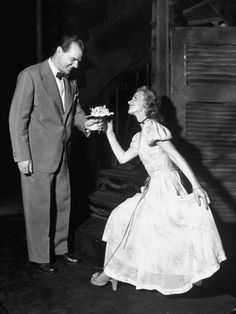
(203, 92)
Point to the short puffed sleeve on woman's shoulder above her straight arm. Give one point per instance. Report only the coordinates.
(155, 132)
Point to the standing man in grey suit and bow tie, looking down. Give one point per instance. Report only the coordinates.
(43, 111)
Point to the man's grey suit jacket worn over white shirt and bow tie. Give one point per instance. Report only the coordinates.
(40, 130)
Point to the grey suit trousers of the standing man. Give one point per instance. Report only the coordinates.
(46, 202)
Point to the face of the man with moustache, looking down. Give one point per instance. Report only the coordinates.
(69, 59)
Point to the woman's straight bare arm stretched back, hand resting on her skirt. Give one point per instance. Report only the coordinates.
(178, 159)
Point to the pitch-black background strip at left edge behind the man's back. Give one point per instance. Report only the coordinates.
(18, 48)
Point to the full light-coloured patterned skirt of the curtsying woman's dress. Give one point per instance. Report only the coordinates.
(161, 239)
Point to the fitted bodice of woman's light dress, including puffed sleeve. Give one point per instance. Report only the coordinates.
(146, 143)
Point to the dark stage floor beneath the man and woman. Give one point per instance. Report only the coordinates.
(25, 291)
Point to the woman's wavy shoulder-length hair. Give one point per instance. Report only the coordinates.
(152, 105)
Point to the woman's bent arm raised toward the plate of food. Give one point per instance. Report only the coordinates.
(121, 155)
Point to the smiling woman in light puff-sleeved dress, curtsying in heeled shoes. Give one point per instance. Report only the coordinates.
(163, 238)
